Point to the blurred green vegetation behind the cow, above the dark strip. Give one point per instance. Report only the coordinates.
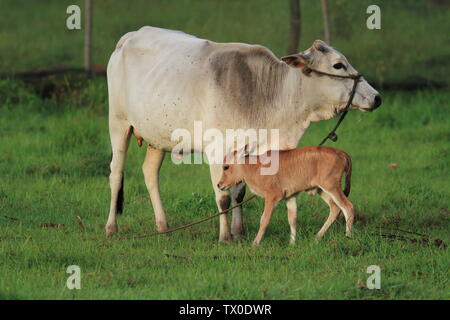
(412, 47)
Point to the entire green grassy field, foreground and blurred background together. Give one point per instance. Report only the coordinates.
(54, 164)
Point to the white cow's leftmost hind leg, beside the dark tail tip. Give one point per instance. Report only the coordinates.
(120, 136)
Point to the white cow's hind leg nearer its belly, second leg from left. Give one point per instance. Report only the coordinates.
(150, 168)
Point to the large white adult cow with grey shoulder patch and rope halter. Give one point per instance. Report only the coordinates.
(160, 80)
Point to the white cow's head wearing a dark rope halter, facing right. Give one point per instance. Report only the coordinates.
(331, 94)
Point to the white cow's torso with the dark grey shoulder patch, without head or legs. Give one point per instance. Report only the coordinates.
(161, 80)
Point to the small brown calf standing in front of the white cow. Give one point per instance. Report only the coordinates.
(313, 169)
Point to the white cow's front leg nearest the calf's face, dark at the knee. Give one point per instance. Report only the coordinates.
(223, 201)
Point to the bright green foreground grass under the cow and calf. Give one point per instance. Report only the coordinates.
(54, 166)
